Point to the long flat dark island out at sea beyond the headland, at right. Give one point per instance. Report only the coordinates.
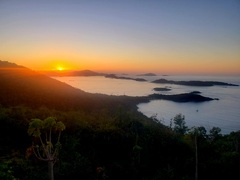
(193, 83)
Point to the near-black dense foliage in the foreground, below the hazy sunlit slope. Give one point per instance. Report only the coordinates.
(116, 145)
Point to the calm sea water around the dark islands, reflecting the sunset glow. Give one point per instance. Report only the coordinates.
(224, 113)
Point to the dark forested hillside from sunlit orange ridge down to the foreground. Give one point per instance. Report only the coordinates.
(105, 136)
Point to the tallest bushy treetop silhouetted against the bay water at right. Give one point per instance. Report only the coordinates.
(179, 124)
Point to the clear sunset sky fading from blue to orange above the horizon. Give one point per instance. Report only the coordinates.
(159, 36)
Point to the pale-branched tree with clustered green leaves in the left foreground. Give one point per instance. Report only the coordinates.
(46, 150)
